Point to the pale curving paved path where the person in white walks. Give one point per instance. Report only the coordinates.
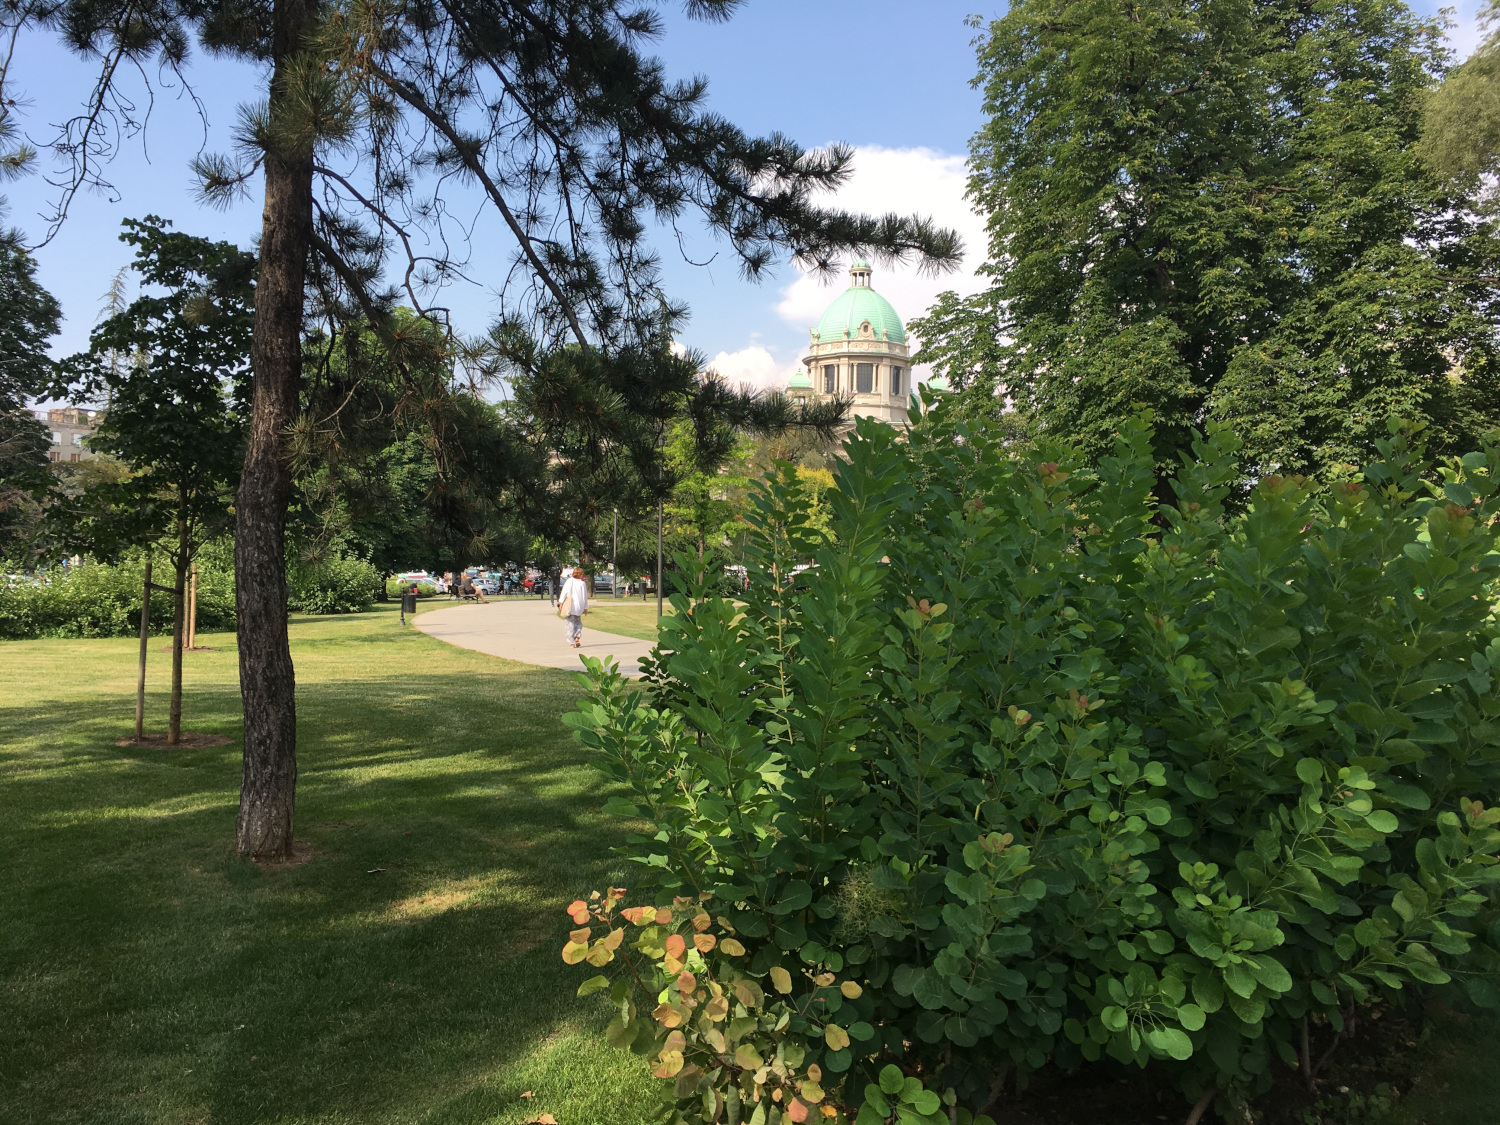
(527, 629)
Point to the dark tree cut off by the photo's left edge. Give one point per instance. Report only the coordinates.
(29, 319)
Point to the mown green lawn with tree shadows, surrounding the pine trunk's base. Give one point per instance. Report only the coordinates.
(409, 973)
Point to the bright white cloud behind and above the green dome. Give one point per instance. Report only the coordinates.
(908, 182)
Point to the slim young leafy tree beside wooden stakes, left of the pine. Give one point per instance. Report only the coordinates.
(178, 406)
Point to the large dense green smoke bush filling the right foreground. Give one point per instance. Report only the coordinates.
(1054, 772)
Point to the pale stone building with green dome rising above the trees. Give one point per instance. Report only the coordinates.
(859, 350)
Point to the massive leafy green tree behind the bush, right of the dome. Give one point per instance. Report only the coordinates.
(1219, 211)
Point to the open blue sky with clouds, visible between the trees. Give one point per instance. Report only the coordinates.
(887, 77)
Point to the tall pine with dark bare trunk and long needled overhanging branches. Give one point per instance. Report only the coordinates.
(551, 110)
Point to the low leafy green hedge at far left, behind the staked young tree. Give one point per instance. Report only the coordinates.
(106, 601)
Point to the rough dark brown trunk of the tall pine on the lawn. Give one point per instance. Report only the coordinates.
(268, 683)
